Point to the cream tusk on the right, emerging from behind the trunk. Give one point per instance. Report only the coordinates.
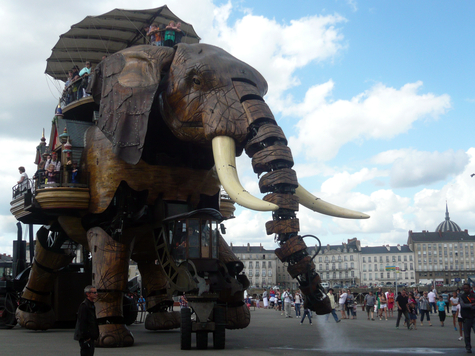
(320, 206)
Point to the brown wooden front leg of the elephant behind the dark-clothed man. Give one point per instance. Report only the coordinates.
(110, 262)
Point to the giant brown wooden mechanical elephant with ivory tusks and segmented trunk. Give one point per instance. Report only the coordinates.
(171, 122)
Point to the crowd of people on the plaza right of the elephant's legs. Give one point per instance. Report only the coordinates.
(413, 305)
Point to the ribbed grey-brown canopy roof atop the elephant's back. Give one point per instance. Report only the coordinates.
(103, 35)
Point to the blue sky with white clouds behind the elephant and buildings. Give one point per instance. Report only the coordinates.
(376, 98)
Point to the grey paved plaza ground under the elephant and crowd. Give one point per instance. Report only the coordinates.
(269, 334)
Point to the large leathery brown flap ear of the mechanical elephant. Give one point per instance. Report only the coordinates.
(125, 85)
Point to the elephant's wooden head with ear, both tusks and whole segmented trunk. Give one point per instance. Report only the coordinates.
(202, 95)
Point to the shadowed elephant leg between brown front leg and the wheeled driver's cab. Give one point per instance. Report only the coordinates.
(157, 299)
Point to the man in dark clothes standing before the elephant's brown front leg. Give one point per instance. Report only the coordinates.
(87, 329)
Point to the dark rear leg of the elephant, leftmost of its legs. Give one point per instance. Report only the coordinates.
(35, 311)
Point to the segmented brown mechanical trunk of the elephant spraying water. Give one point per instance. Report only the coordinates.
(267, 147)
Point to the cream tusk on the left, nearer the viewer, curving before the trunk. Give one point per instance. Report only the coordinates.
(224, 152)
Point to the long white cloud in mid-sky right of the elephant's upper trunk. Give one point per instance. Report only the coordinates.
(378, 113)
